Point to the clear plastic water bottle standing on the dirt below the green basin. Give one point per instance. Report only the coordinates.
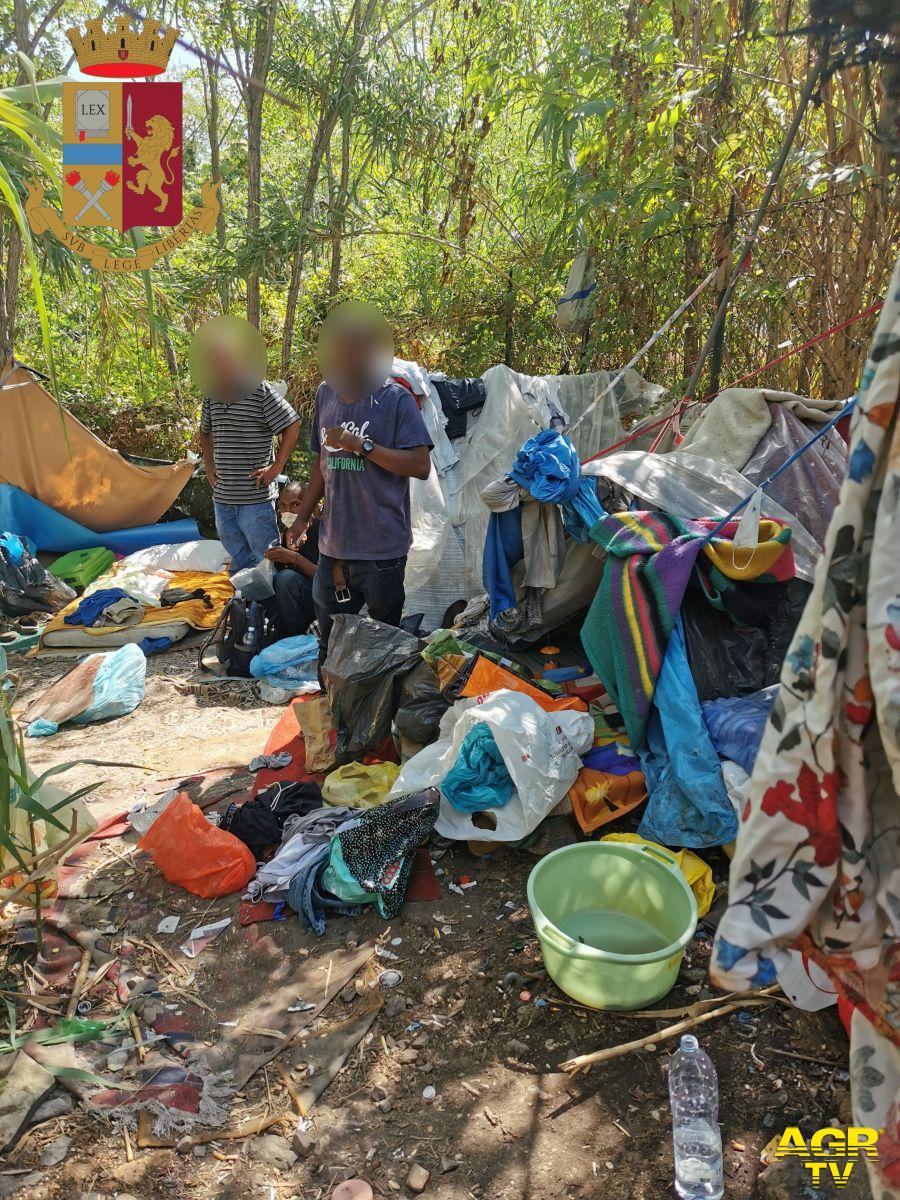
(694, 1096)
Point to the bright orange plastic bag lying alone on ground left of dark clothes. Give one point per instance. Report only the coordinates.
(195, 854)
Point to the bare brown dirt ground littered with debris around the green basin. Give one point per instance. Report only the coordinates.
(489, 1029)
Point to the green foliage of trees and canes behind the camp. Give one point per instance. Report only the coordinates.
(473, 146)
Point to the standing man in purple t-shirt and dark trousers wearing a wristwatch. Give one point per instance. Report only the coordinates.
(369, 441)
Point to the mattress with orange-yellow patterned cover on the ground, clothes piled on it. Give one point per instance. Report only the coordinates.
(175, 622)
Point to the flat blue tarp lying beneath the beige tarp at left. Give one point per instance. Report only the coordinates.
(51, 531)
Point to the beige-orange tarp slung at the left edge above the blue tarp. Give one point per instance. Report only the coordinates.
(86, 481)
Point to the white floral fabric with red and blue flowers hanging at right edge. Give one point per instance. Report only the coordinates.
(818, 862)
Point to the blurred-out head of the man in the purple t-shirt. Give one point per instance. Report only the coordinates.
(356, 350)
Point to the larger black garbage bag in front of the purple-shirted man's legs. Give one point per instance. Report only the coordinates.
(364, 675)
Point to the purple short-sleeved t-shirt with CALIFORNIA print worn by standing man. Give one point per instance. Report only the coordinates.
(367, 508)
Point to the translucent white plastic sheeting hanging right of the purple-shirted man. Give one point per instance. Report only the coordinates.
(449, 517)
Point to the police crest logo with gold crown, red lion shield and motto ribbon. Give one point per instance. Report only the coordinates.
(122, 148)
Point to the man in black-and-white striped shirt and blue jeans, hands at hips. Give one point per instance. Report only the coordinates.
(238, 428)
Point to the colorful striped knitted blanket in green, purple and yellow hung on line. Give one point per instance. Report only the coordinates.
(651, 557)
